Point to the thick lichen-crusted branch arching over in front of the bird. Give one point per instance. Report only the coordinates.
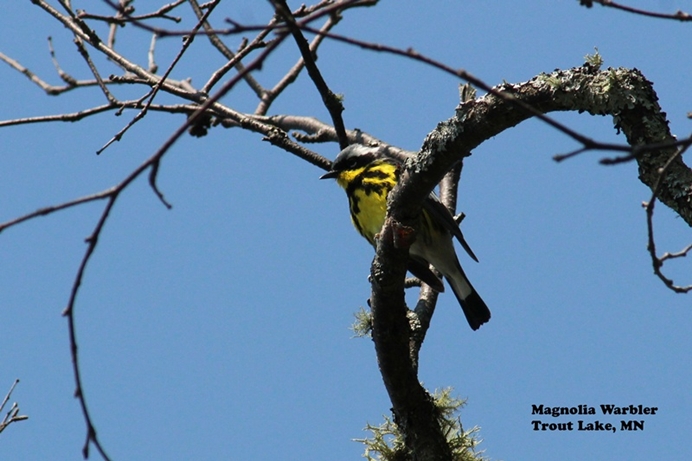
(624, 94)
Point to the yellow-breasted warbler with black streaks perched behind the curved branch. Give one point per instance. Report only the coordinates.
(368, 175)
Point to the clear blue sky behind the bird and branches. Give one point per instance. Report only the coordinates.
(220, 329)
